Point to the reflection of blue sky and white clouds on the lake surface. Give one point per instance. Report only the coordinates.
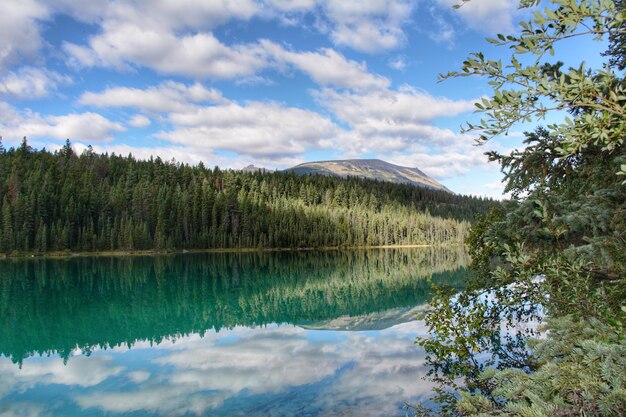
(240, 370)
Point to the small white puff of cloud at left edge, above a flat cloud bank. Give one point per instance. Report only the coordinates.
(31, 83)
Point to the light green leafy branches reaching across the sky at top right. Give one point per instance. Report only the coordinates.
(528, 92)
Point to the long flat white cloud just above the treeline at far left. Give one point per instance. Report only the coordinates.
(75, 126)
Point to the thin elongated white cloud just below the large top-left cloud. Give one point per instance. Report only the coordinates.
(166, 97)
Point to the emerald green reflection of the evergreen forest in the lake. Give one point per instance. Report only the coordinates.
(49, 306)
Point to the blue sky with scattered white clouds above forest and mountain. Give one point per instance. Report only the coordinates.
(272, 83)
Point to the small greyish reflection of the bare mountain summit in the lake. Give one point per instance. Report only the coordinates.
(379, 320)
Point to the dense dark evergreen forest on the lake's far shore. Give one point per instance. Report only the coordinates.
(62, 201)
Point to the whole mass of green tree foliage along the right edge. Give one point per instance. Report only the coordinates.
(557, 252)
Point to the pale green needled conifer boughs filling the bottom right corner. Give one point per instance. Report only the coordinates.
(580, 372)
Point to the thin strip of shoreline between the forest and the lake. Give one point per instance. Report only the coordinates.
(155, 252)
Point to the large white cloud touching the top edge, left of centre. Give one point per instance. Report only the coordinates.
(171, 37)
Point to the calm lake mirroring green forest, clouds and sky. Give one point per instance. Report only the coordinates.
(310, 333)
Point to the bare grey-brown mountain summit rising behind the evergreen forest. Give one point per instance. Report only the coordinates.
(374, 169)
